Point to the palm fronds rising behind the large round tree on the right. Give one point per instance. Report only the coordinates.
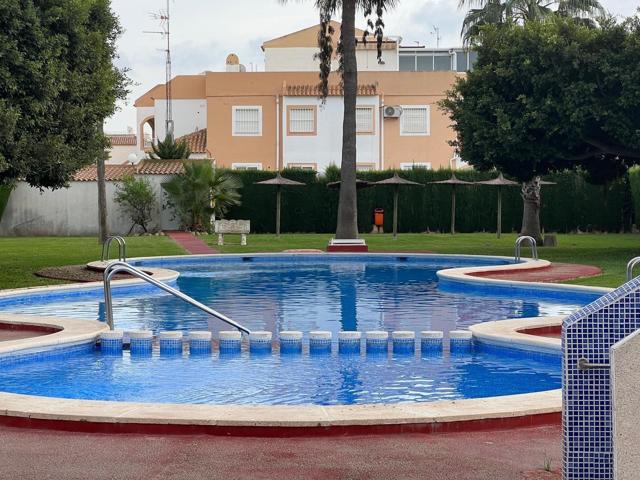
(495, 12)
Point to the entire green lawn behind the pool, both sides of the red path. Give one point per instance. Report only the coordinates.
(21, 257)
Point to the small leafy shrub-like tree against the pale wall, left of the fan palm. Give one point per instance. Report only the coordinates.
(137, 200)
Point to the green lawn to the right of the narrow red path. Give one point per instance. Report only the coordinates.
(610, 252)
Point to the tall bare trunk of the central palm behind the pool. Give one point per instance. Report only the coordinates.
(348, 205)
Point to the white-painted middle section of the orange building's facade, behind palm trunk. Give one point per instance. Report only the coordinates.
(325, 148)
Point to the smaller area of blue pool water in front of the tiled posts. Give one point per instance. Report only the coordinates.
(272, 379)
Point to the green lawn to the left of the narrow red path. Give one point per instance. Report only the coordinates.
(20, 257)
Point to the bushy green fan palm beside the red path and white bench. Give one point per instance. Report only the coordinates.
(200, 192)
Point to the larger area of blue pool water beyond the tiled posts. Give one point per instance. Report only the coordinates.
(307, 294)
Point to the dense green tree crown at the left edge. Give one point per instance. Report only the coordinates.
(57, 85)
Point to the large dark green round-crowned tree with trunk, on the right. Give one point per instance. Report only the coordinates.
(547, 97)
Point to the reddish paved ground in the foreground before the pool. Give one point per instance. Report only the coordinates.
(496, 455)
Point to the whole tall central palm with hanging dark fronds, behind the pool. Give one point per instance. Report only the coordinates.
(347, 224)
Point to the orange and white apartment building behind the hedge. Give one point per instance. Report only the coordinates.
(275, 119)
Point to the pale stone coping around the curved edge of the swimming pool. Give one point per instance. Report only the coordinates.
(472, 414)
